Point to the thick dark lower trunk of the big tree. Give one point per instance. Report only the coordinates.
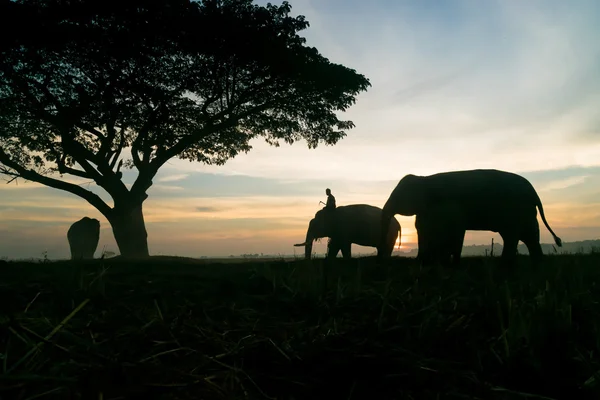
(129, 229)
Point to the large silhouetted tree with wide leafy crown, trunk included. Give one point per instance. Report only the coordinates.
(85, 83)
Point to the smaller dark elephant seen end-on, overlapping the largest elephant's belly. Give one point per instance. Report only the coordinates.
(440, 234)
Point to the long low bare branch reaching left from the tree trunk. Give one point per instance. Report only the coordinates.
(30, 175)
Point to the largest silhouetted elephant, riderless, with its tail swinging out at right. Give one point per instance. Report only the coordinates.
(486, 199)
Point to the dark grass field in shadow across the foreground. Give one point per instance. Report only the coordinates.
(172, 328)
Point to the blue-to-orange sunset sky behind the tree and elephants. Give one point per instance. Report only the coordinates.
(506, 84)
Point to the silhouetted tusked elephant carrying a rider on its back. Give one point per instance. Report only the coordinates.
(355, 223)
